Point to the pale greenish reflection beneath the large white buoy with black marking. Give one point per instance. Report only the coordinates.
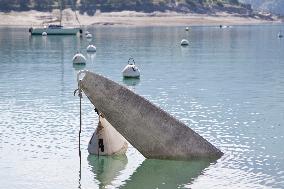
(106, 168)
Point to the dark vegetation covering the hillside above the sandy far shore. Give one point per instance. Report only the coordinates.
(91, 6)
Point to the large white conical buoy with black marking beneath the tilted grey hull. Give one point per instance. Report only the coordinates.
(106, 140)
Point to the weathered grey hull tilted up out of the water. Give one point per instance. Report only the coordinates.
(151, 130)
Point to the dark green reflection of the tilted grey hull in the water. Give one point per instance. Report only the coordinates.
(166, 173)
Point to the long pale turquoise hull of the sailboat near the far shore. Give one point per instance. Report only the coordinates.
(55, 31)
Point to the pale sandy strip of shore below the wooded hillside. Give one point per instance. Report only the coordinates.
(126, 18)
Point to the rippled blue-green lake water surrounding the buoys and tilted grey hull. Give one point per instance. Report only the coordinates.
(227, 85)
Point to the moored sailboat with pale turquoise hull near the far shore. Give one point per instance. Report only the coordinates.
(55, 30)
